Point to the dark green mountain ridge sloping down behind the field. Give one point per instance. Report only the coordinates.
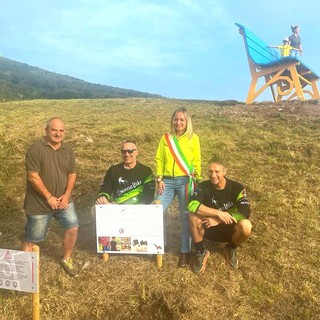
(22, 81)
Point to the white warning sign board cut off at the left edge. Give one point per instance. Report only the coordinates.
(18, 270)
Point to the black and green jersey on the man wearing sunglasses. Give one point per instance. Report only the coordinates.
(125, 186)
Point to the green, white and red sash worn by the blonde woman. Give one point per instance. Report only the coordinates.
(182, 162)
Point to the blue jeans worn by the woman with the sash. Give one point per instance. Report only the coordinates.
(177, 187)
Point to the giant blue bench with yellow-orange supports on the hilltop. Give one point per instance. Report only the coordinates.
(288, 77)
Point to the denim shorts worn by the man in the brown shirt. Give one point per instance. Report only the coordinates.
(37, 225)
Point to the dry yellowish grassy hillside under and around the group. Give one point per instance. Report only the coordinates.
(273, 149)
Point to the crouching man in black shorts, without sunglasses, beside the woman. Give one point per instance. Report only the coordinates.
(219, 211)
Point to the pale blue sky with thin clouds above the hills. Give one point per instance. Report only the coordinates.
(183, 49)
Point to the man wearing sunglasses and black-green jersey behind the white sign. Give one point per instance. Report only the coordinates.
(128, 182)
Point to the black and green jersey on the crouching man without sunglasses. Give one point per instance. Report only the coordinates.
(232, 198)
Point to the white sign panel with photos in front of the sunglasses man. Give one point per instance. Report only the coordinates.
(134, 229)
